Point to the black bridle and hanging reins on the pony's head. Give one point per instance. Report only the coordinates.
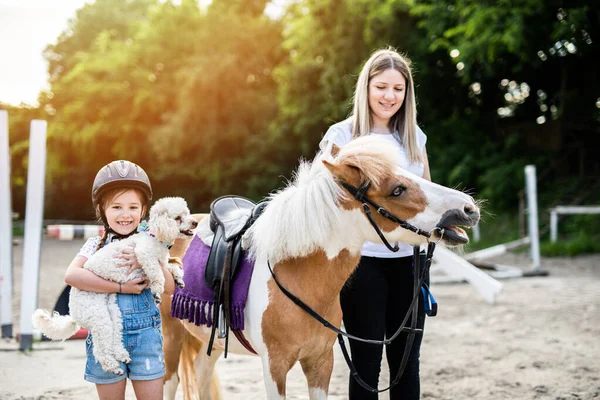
(420, 273)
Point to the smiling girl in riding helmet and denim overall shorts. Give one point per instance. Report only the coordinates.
(121, 195)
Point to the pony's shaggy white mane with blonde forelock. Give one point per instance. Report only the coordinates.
(303, 216)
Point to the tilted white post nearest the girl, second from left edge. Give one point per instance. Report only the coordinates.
(34, 212)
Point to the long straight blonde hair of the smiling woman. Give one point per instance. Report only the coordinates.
(405, 120)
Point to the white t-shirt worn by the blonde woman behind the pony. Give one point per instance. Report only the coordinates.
(341, 134)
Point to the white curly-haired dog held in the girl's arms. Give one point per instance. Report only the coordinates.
(169, 219)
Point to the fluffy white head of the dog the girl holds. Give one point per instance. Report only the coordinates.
(170, 218)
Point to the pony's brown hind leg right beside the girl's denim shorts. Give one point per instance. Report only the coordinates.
(173, 340)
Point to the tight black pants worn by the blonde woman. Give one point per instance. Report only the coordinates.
(374, 301)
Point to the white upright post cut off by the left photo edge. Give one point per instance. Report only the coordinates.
(6, 259)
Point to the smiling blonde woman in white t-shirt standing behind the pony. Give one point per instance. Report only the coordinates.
(378, 295)
